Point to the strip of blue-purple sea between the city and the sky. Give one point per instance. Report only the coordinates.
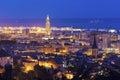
(76, 23)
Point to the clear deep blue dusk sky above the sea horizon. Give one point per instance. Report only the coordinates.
(60, 8)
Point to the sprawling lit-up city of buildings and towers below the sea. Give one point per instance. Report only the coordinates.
(54, 53)
